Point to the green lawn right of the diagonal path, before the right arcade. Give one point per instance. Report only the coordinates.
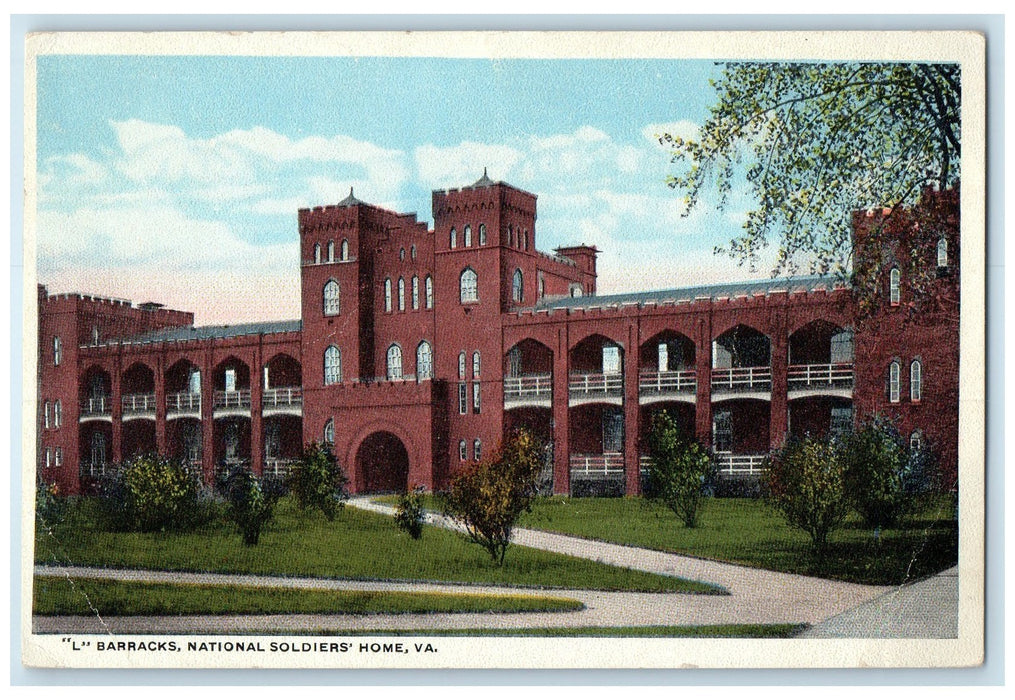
(749, 532)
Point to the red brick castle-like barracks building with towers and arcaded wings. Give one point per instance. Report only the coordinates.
(419, 349)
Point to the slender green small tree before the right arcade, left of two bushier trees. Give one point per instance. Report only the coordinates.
(679, 469)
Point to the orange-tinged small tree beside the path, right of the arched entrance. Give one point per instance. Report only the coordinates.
(489, 499)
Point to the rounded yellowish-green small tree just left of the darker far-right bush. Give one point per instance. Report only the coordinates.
(806, 482)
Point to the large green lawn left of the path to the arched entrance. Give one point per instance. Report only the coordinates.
(357, 545)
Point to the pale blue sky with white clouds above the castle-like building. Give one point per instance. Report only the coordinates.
(178, 179)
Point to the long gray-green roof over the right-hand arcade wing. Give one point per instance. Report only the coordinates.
(710, 292)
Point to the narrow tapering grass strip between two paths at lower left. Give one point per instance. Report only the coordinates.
(58, 596)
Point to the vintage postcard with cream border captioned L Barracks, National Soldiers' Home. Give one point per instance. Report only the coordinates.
(458, 351)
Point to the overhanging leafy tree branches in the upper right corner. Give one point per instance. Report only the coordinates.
(816, 143)
